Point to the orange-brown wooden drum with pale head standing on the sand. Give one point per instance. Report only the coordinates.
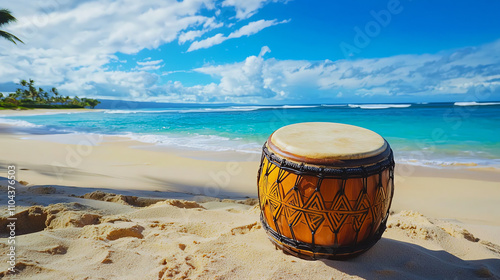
(325, 189)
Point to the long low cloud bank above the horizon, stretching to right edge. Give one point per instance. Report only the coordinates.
(463, 72)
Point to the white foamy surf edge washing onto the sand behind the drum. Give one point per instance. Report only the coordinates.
(210, 151)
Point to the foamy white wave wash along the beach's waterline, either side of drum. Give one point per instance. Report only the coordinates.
(216, 147)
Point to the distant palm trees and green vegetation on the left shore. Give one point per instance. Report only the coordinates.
(28, 96)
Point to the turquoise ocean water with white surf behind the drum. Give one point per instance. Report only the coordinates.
(428, 134)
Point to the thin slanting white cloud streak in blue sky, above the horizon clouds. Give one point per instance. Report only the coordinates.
(247, 30)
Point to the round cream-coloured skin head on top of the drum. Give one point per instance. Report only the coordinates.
(324, 143)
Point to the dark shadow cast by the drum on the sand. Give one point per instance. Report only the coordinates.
(392, 259)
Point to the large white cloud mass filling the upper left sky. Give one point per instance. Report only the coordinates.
(68, 37)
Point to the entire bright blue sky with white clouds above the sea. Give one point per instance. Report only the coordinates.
(257, 51)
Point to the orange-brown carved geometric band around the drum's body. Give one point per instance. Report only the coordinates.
(311, 210)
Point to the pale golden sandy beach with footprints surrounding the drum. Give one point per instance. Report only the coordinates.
(94, 207)
